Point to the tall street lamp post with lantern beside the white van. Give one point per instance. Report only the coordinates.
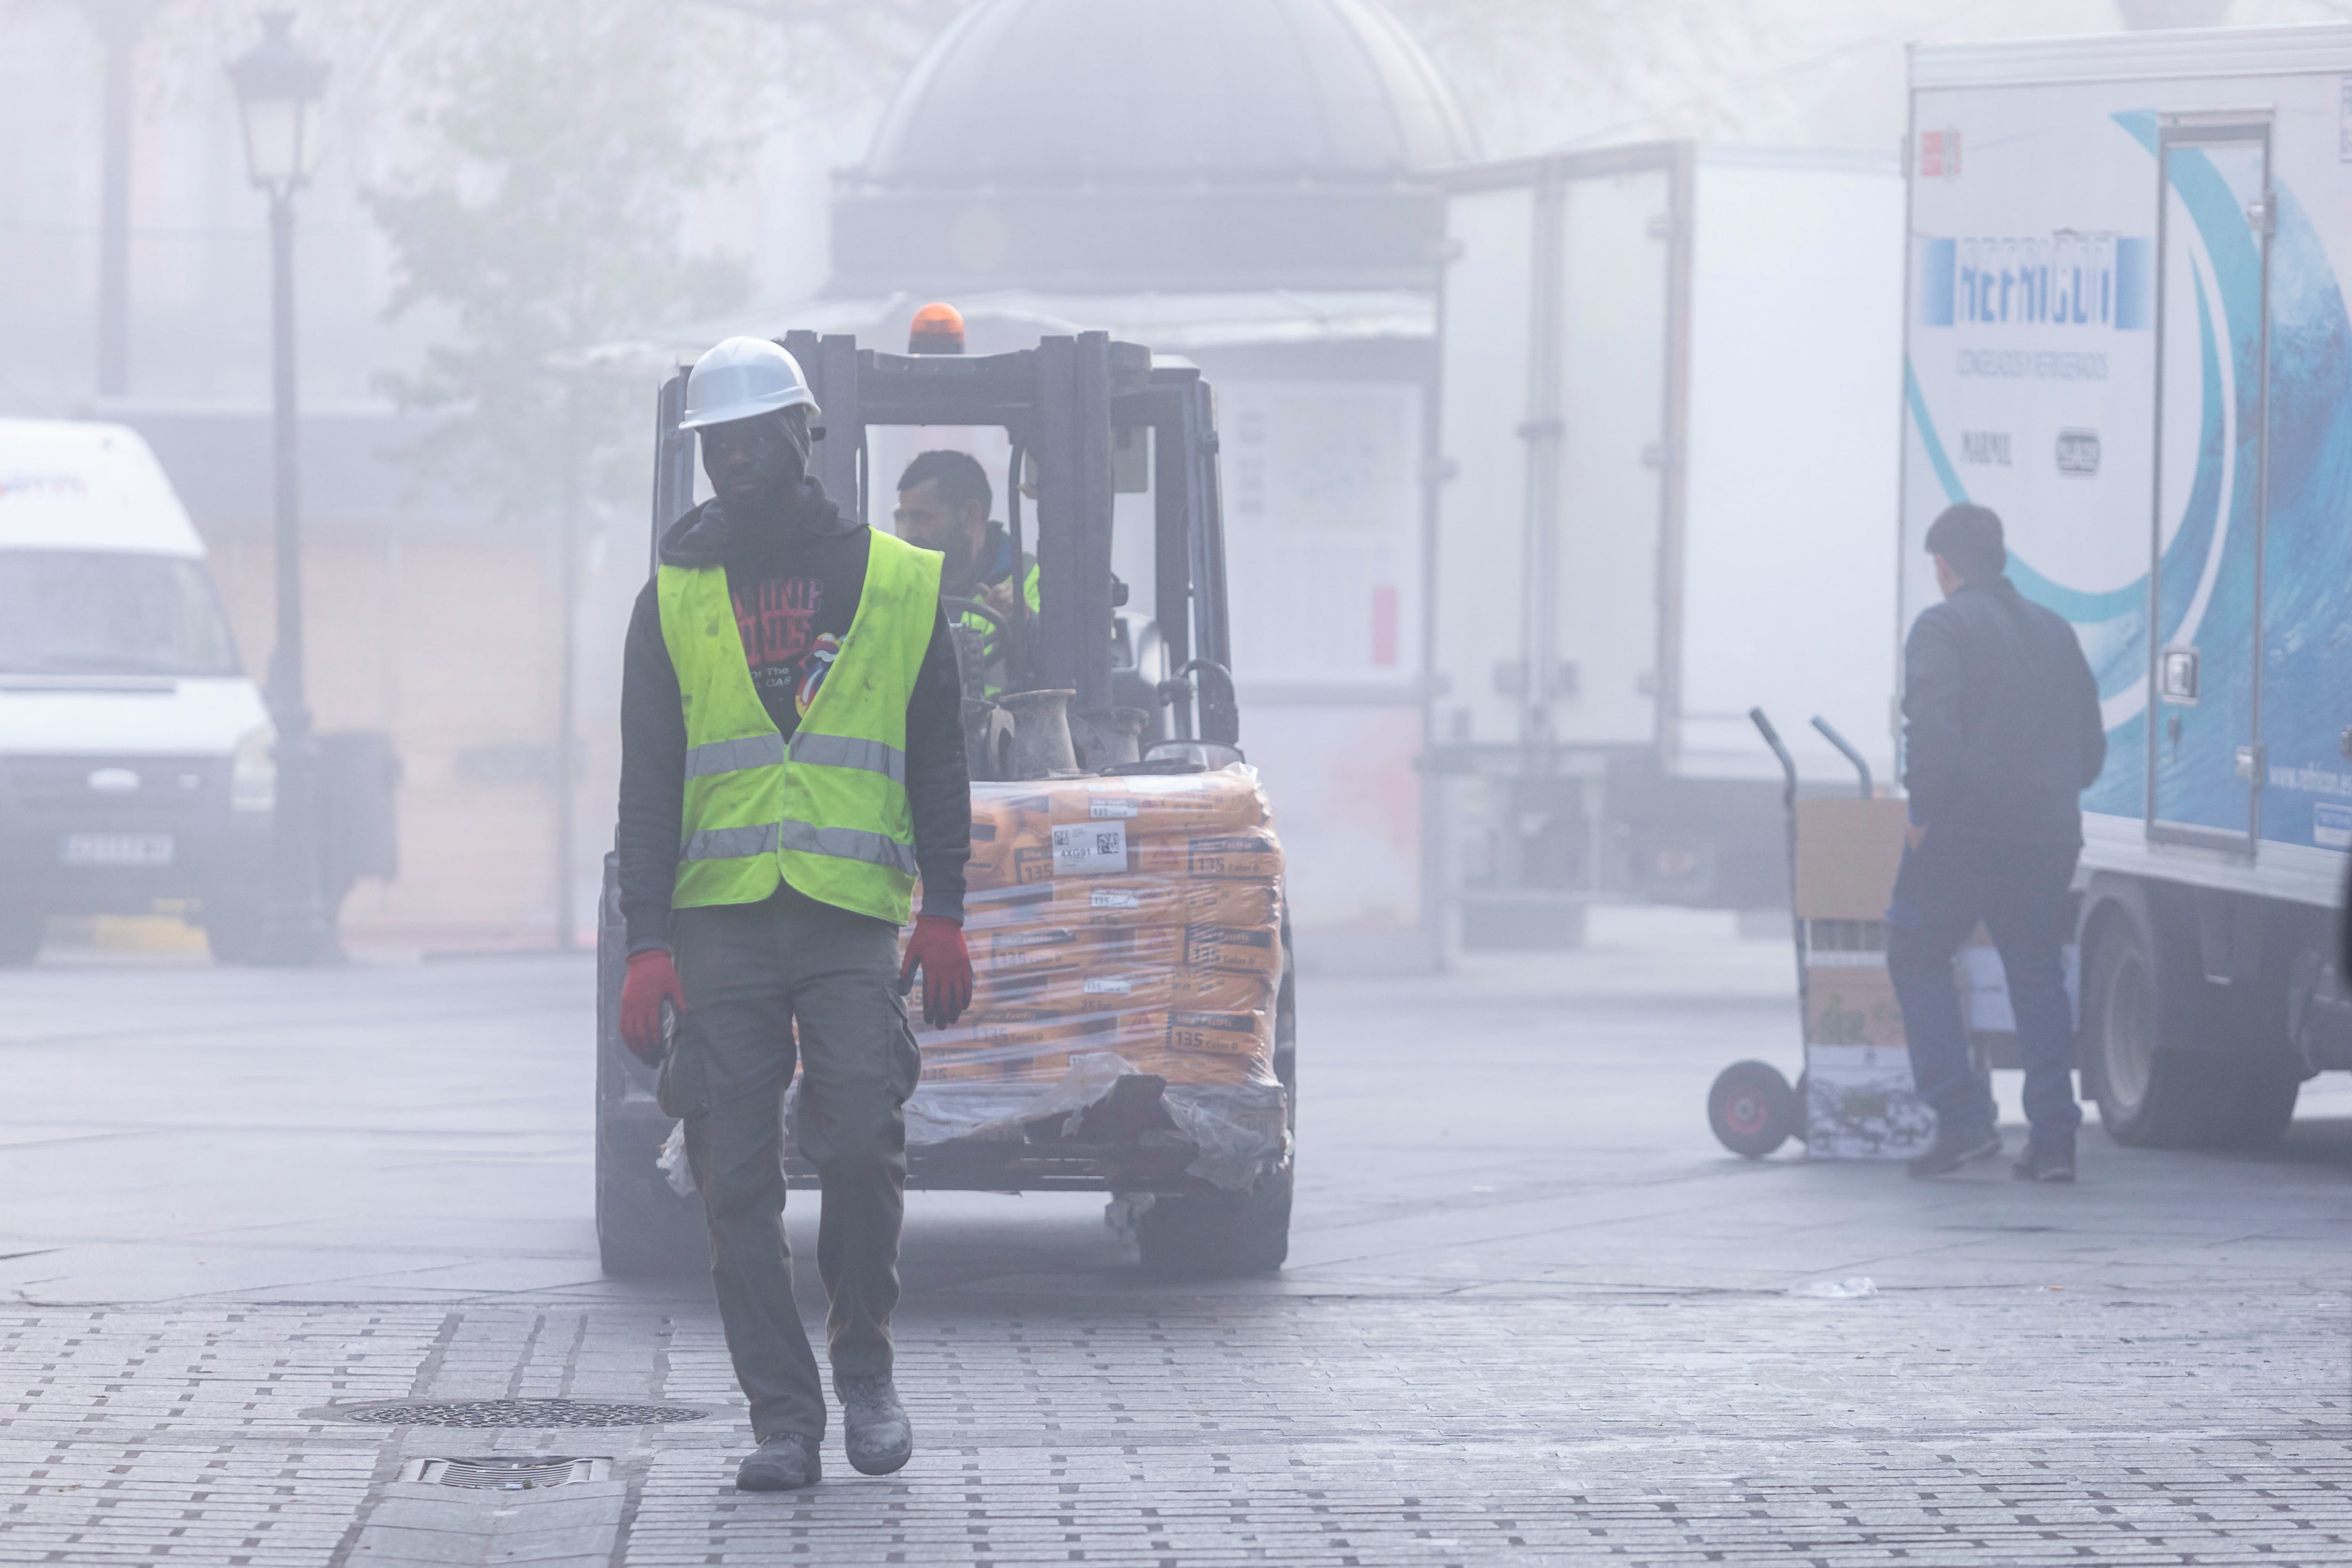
(276, 86)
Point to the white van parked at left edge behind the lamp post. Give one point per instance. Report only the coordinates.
(135, 753)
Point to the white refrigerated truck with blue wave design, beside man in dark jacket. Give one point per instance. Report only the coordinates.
(2127, 335)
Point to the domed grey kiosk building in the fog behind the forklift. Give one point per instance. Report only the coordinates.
(1248, 185)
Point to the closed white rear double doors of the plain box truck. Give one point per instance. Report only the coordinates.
(1558, 344)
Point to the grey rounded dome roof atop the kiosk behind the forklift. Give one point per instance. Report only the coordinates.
(1156, 145)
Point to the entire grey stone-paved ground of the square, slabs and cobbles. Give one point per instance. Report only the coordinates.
(1532, 1315)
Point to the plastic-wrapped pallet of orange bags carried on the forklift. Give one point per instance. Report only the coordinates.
(1128, 956)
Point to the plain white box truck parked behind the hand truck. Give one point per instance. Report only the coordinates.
(1669, 490)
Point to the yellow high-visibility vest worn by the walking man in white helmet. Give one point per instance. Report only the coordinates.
(827, 815)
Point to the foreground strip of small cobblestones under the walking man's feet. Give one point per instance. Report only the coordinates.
(2012, 1428)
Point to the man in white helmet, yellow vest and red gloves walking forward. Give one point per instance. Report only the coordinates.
(791, 763)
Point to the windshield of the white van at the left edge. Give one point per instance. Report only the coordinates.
(109, 612)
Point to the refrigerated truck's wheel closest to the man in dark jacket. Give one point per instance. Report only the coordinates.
(2134, 1017)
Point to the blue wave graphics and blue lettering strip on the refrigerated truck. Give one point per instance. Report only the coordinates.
(2212, 554)
